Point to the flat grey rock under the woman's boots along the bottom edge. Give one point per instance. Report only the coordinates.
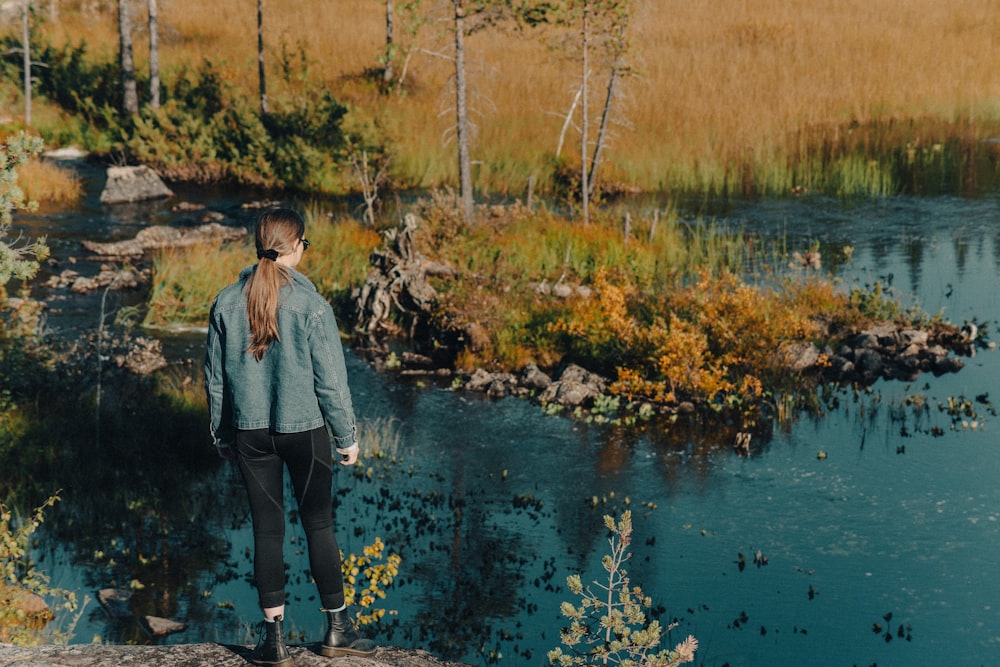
(199, 655)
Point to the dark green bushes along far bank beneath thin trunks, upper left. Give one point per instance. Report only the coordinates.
(204, 131)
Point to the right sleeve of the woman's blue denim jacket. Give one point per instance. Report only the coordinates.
(330, 377)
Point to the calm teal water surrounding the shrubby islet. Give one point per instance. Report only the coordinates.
(490, 506)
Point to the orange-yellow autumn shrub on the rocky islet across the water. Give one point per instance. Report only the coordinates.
(713, 341)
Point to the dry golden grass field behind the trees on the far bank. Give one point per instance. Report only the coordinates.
(719, 83)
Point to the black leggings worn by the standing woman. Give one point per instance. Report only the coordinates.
(308, 455)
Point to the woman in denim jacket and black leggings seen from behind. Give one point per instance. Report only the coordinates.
(276, 382)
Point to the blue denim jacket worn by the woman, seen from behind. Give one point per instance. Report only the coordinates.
(301, 381)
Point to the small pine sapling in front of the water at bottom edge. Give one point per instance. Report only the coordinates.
(610, 626)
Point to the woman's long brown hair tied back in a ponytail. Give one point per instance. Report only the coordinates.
(278, 232)
